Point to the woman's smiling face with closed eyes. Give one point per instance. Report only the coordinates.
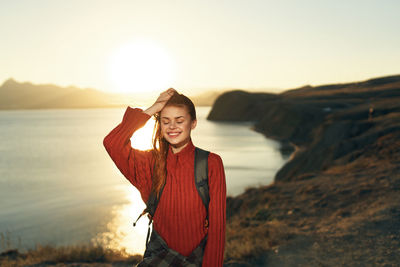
(176, 125)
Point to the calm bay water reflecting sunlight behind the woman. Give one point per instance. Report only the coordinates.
(58, 186)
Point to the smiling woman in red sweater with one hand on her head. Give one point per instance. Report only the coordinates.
(180, 214)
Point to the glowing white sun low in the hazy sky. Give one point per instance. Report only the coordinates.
(141, 66)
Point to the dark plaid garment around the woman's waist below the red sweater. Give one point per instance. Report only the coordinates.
(158, 253)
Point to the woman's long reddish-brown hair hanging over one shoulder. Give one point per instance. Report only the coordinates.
(161, 145)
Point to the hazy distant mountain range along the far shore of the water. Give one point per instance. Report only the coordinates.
(16, 95)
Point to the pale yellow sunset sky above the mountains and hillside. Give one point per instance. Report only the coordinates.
(140, 46)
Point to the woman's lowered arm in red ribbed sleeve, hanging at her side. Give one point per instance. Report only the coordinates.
(215, 247)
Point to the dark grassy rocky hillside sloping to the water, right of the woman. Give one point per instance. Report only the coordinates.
(337, 201)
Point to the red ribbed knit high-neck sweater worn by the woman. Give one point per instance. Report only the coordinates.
(180, 214)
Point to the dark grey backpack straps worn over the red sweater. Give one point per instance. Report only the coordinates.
(201, 181)
